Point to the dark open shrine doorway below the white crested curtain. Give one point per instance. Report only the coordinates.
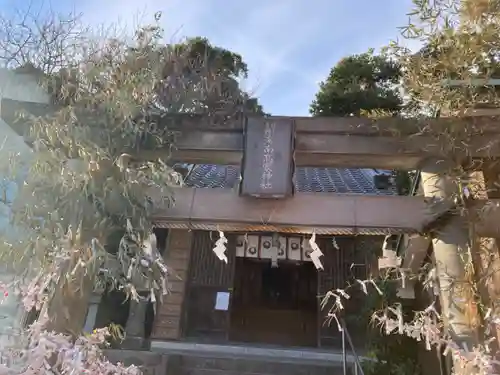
(284, 313)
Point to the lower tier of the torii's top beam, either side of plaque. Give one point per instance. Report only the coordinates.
(330, 150)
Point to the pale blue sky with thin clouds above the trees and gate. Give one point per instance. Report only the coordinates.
(289, 45)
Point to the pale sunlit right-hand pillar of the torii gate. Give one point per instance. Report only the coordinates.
(452, 255)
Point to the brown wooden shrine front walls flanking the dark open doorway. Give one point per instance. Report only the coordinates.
(199, 275)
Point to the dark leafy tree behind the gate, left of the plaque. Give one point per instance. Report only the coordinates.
(205, 78)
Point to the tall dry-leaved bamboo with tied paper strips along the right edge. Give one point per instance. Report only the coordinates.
(454, 74)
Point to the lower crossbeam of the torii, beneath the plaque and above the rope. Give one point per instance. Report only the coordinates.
(211, 209)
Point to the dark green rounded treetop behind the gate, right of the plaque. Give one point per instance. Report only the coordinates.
(359, 83)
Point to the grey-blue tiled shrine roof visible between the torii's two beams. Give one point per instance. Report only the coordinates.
(307, 179)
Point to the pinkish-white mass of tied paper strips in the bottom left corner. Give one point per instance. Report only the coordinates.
(36, 350)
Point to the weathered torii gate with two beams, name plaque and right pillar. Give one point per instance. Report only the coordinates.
(268, 148)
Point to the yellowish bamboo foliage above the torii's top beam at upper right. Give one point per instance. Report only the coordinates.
(460, 39)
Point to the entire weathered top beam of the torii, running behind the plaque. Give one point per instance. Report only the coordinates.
(389, 143)
